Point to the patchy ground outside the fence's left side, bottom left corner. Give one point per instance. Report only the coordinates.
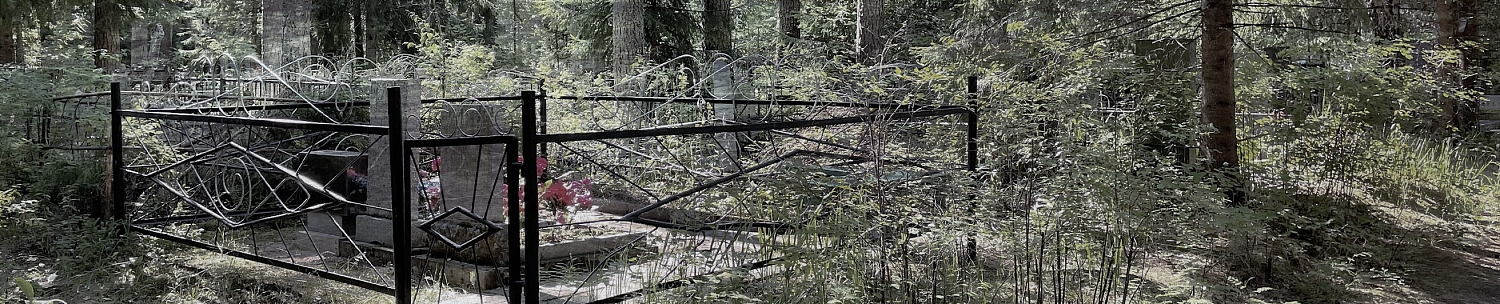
(77, 260)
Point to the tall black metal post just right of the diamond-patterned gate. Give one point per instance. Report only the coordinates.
(529, 171)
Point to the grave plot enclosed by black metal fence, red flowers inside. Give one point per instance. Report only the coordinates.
(521, 198)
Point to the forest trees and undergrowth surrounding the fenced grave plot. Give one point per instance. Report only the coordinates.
(1132, 151)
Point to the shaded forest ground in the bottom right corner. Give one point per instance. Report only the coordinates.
(1339, 248)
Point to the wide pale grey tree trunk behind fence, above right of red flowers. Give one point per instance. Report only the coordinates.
(629, 37)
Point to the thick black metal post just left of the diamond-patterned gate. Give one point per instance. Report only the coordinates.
(400, 197)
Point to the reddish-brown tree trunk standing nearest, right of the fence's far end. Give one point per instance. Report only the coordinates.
(1219, 94)
